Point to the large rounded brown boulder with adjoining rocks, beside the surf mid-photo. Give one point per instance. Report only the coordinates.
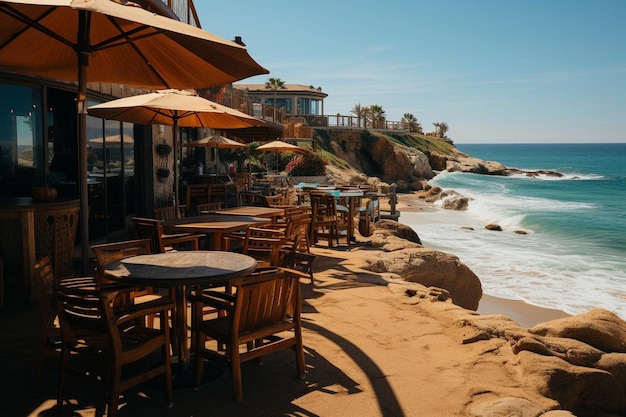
(408, 260)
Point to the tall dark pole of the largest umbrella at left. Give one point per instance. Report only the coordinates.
(83, 62)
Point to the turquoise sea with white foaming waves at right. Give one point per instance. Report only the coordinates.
(573, 255)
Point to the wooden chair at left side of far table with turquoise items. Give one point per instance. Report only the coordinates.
(326, 222)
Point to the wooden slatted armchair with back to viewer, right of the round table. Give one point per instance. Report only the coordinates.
(263, 315)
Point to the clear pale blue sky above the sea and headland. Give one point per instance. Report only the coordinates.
(496, 71)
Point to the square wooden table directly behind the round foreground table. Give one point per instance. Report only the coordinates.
(214, 224)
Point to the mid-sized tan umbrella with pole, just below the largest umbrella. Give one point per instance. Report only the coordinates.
(176, 108)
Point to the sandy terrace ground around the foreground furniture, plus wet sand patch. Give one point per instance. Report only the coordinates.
(370, 351)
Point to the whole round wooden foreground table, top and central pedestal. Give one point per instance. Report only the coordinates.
(180, 269)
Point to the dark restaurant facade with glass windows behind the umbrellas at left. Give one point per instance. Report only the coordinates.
(41, 178)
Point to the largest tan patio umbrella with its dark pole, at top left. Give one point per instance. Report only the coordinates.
(104, 41)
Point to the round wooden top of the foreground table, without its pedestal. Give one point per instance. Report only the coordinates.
(180, 268)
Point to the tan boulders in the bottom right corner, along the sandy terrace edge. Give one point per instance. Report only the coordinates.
(577, 364)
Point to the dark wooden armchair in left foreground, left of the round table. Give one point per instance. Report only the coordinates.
(97, 343)
